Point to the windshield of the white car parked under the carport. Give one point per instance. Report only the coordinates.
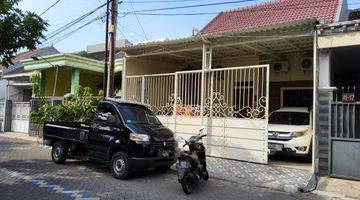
(289, 118)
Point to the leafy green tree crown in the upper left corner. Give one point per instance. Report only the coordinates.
(18, 30)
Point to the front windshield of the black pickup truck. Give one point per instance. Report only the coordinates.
(136, 114)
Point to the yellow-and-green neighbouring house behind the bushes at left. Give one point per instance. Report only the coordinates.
(60, 74)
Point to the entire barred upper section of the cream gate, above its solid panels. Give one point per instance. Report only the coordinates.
(238, 92)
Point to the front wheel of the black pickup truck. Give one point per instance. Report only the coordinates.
(120, 165)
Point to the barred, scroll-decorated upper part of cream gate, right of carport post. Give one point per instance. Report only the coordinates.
(236, 92)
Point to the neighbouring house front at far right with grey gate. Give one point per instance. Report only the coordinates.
(338, 99)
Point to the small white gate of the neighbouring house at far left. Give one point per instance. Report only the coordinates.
(20, 117)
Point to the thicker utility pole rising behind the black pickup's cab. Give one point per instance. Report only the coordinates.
(112, 48)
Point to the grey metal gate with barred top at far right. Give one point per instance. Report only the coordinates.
(345, 140)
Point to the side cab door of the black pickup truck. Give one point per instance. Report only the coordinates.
(102, 132)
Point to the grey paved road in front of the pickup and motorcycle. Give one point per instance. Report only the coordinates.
(27, 172)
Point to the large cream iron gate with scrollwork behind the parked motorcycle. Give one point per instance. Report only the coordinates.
(231, 103)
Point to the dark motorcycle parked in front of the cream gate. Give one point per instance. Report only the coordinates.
(191, 164)
